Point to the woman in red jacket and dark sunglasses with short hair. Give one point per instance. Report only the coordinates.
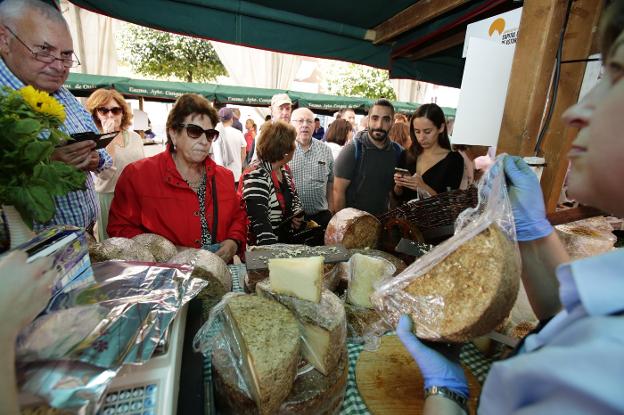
(181, 193)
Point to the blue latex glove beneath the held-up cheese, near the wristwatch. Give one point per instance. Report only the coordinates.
(436, 369)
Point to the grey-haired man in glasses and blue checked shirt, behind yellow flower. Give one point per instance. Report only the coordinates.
(36, 49)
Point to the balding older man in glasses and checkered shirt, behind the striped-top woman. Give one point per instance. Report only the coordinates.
(313, 169)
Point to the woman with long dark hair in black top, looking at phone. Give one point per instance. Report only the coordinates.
(432, 167)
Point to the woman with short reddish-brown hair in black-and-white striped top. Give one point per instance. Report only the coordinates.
(267, 188)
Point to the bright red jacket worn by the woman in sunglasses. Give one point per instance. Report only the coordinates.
(152, 197)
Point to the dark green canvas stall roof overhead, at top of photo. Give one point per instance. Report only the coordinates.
(342, 30)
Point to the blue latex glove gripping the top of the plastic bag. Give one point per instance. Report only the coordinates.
(527, 201)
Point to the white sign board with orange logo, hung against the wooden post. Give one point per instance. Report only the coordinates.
(483, 93)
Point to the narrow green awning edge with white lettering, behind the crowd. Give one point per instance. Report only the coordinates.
(84, 85)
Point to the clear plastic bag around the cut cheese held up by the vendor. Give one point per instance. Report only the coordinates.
(444, 291)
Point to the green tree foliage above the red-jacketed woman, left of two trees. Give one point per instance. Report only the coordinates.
(156, 53)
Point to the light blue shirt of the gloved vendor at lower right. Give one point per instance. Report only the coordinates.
(575, 364)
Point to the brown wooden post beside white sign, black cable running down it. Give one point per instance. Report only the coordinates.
(530, 82)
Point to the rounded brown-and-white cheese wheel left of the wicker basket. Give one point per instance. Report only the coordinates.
(353, 228)
